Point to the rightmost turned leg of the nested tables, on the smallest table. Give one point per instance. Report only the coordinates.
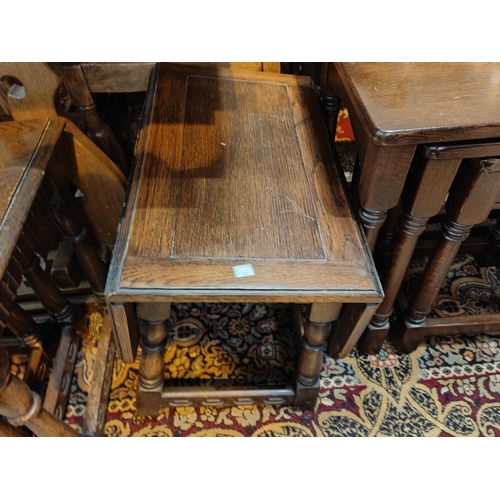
(472, 196)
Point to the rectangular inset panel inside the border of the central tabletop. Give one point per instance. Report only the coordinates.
(248, 156)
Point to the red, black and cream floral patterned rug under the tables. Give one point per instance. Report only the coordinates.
(450, 386)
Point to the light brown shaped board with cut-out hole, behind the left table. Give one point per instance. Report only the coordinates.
(81, 161)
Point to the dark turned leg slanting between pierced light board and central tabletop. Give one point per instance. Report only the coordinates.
(97, 131)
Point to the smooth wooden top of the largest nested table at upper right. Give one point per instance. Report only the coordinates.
(418, 103)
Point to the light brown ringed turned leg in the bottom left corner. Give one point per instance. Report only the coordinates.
(23, 407)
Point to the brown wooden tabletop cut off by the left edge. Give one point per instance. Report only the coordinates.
(25, 150)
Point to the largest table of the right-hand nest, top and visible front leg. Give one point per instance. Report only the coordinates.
(394, 107)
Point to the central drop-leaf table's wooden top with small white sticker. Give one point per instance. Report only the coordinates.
(235, 196)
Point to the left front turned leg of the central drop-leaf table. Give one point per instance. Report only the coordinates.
(153, 337)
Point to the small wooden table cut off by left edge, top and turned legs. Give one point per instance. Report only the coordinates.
(25, 151)
